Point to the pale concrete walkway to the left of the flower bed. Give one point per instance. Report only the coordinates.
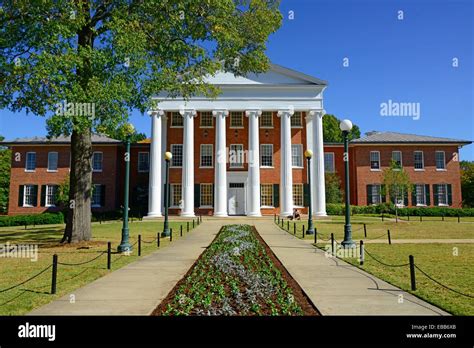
(138, 288)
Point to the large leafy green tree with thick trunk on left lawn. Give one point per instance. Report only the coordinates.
(87, 63)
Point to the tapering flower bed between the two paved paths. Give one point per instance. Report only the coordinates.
(237, 275)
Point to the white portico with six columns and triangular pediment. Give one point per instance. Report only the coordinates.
(280, 90)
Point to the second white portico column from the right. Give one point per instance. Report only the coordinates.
(286, 171)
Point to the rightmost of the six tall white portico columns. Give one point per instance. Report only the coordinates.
(319, 188)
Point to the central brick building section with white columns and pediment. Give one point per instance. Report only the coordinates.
(241, 153)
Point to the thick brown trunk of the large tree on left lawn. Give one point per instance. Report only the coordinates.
(78, 223)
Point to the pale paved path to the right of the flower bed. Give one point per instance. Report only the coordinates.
(336, 287)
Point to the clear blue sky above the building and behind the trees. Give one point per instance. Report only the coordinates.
(409, 60)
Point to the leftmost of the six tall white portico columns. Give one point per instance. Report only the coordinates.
(155, 185)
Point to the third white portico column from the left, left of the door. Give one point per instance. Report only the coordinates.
(220, 179)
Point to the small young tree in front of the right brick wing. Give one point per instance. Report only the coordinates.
(397, 183)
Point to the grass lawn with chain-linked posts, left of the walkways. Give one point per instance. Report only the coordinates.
(35, 293)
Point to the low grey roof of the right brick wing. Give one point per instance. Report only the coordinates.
(376, 137)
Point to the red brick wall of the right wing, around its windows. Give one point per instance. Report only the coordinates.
(366, 176)
